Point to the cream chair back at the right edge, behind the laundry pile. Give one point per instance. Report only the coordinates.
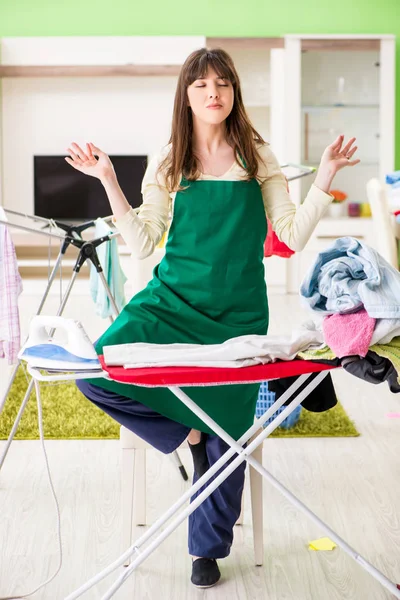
(384, 223)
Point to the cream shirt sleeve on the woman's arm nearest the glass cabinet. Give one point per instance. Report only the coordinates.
(293, 225)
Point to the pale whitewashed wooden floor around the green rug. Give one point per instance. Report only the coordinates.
(353, 484)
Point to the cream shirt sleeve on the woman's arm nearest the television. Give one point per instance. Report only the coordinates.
(143, 228)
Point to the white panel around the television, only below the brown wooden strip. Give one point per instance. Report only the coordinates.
(44, 115)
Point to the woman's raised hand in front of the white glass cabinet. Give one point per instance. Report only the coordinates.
(335, 158)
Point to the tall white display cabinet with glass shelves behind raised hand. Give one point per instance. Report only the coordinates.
(333, 85)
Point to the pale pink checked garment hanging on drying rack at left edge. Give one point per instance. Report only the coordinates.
(10, 289)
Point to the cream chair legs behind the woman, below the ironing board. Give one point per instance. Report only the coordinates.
(133, 487)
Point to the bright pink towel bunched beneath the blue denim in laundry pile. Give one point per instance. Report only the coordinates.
(349, 334)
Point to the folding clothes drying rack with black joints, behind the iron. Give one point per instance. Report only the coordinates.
(87, 251)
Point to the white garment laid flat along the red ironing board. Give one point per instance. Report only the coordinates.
(242, 351)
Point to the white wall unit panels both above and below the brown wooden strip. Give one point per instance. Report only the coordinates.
(121, 115)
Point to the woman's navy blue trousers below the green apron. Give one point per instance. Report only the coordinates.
(211, 524)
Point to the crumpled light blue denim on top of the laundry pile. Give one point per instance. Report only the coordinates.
(349, 275)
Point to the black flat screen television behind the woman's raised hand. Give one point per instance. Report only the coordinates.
(65, 194)
